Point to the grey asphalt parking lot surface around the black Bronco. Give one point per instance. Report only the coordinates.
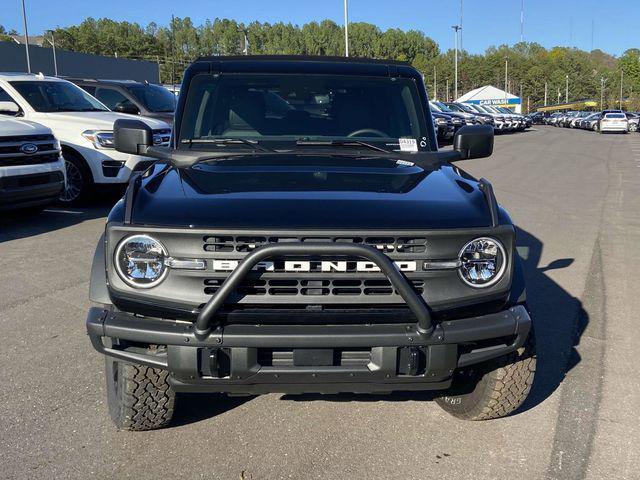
(574, 195)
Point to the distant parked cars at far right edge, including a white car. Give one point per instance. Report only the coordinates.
(603, 122)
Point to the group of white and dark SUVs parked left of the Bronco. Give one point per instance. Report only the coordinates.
(56, 139)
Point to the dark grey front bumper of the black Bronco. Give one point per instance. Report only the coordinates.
(252, 359)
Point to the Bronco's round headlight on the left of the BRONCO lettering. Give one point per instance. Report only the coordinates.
(140, 261)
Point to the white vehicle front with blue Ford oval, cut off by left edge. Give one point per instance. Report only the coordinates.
(32, 173)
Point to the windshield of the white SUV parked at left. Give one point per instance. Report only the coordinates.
(47, 96)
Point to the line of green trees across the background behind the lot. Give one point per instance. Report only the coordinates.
(530, 66)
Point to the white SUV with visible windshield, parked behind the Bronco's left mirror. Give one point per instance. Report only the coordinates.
(82, 124)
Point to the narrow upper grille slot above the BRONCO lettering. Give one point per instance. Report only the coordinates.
(245, 244)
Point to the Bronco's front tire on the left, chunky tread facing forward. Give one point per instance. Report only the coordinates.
(139, 397)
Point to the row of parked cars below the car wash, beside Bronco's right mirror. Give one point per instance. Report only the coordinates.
(448, 117)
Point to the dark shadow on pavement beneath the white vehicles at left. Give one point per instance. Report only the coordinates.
(16, 225)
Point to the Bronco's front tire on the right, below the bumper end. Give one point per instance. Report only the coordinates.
(492, 389)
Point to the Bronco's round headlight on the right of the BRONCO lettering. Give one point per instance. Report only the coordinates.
(482, 262)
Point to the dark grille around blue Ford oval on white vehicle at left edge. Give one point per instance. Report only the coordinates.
(12, 155)
